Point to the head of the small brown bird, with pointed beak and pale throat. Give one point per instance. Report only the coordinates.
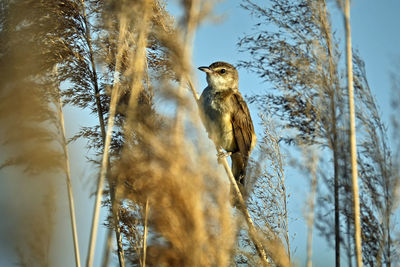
(221, 76)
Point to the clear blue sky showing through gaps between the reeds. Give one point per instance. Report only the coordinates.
(375, 33)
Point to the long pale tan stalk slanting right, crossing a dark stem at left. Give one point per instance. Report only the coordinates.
(105, 161)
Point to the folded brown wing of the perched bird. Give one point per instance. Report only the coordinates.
(243, 128)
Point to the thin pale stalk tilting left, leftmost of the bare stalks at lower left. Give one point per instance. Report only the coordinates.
(68, 176)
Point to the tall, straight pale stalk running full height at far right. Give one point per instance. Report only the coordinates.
(353, 144)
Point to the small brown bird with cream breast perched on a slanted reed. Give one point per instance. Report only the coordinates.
(226, 116)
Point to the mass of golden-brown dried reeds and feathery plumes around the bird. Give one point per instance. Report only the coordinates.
(128, 64)
